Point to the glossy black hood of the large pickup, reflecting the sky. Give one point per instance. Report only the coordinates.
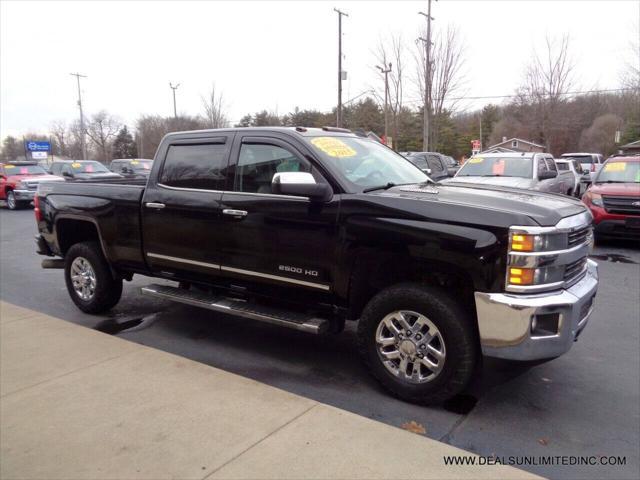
(545, 209)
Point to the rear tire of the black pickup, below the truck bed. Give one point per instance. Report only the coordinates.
(101, 290)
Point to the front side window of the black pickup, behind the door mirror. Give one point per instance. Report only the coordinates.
(258, 163)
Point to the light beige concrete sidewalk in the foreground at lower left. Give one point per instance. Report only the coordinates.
(79, 404)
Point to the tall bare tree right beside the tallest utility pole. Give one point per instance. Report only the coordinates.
(447, 75)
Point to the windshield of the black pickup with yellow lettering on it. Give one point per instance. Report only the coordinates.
(366, 163)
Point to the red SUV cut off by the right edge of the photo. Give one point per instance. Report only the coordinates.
(614, 198)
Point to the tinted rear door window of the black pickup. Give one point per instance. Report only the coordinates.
(199, 166)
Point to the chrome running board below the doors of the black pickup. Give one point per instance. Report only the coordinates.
(234, 306)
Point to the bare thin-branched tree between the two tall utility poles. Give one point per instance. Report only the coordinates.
(391, 51)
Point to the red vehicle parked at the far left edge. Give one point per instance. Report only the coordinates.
(19, 182)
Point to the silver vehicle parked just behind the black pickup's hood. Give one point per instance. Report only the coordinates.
(533, 171)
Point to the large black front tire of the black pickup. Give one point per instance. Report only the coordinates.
(459, 343)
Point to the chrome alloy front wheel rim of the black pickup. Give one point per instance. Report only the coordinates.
(410, 346)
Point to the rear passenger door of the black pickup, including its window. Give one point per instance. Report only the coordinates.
(181, 216)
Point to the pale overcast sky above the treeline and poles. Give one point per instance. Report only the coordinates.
(271, 55)
